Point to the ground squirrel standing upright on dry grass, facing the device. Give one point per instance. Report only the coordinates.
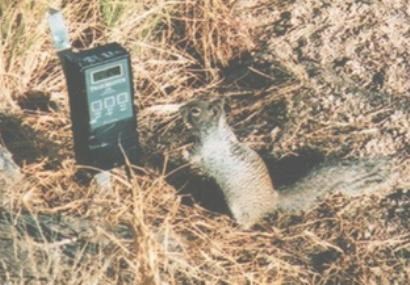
(244, 178)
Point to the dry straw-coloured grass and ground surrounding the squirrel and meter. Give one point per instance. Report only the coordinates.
(329, 78)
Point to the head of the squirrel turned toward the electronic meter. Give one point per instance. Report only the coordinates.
(203, 114)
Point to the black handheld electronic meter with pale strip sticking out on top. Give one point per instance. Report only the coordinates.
(101, 97)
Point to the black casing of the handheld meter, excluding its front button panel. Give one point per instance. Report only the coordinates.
(107, 146)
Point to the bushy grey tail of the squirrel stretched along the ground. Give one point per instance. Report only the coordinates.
(348, 177)
